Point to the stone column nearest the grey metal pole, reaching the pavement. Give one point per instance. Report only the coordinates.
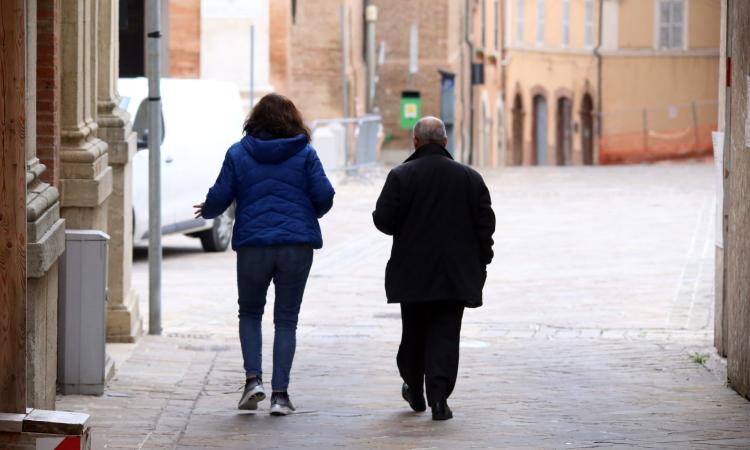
(123, 318)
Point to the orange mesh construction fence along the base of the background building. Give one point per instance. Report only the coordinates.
(652, 134)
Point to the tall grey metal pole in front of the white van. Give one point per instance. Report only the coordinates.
(154, 161)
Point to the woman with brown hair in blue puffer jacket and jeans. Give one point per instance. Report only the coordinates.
(280, 190)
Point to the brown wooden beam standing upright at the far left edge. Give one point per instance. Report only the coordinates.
(12, 208)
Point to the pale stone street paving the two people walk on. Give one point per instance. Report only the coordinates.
(597, 302)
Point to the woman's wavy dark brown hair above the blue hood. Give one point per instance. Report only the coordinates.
(276, 115)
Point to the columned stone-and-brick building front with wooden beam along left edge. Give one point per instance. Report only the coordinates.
(66, 149)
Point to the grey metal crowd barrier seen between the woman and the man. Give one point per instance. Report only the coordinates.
(347, 143)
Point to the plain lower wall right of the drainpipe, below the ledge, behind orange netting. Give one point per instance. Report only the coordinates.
(657, 107)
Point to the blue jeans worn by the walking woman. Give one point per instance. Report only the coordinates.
(288, 266)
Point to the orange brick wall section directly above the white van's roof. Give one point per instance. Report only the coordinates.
(184, 38)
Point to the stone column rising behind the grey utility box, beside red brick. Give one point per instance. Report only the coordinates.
(85, 176)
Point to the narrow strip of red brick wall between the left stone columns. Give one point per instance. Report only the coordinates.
(48, 88)
